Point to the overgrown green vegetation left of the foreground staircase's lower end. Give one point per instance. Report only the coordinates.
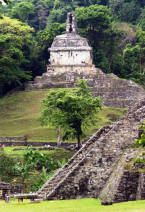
(32, 170)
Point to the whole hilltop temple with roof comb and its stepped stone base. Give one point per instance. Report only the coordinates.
(70, 59)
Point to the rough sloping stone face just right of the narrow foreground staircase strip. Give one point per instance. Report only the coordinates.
(92, 174)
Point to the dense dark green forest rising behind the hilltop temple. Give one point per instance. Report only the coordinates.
(114, 28)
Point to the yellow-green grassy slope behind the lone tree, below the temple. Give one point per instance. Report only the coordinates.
(19, 115)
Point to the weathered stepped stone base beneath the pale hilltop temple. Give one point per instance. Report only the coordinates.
(115, 92)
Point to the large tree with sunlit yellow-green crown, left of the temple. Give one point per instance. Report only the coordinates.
(15, 44)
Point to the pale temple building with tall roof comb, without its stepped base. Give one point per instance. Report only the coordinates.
(70, 52)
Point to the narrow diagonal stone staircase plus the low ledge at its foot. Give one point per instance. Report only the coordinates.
(49, 188)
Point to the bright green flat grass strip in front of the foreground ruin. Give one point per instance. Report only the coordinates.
(82, 205)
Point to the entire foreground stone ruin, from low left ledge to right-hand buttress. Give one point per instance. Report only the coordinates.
(98, 167)
